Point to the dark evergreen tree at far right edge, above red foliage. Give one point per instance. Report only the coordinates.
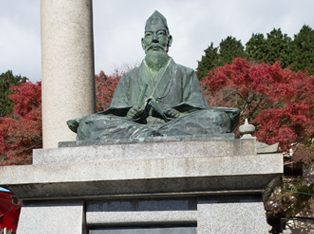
(303, 50)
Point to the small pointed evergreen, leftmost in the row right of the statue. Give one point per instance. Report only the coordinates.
(208, 62)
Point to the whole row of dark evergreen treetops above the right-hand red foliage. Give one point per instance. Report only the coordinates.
(297, 54)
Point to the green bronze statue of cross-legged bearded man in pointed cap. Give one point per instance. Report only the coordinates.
(158, 98)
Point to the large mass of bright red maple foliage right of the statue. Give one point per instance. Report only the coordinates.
(279, 102)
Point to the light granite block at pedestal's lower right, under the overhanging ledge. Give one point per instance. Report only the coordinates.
(229, 215)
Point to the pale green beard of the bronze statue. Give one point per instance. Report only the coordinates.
(156, 59)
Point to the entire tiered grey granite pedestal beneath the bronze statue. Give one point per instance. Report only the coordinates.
(192, 186)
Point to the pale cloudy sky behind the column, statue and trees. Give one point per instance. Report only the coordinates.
(119, 27)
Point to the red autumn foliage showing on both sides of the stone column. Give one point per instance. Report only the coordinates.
(21, 131)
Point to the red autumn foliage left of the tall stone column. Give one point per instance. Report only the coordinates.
(21, 132)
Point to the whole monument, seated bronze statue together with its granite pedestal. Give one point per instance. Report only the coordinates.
(159, 160)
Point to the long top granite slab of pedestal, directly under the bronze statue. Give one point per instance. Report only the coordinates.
(189, 147)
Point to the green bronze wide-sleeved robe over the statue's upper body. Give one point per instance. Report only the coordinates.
(178, 87)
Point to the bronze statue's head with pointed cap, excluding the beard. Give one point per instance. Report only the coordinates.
(157, 36)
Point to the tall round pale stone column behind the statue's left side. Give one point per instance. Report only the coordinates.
(68, 89)
